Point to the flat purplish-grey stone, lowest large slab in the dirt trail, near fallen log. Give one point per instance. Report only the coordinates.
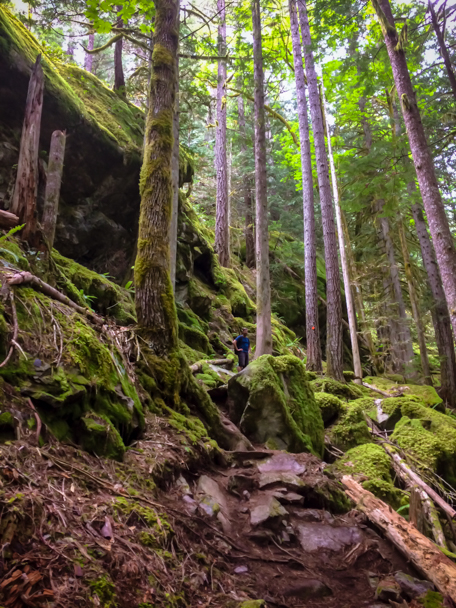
(317, 536)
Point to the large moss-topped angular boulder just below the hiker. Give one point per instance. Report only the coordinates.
(273, 403)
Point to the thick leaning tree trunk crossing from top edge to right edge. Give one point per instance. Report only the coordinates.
(424, 165)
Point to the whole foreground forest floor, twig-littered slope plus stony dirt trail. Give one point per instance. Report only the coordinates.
(175, 525)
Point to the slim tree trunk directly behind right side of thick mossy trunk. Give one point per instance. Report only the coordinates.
(175, 180)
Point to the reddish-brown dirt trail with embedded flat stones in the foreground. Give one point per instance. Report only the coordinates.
(279, 524)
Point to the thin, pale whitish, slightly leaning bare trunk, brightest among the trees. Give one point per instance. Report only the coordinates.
(343, 260)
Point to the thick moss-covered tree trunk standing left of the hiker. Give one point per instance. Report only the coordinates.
(154, 294)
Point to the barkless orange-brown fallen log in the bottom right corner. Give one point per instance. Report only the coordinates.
(421, 551)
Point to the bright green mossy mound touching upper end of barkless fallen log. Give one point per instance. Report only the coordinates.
(371, 461)
